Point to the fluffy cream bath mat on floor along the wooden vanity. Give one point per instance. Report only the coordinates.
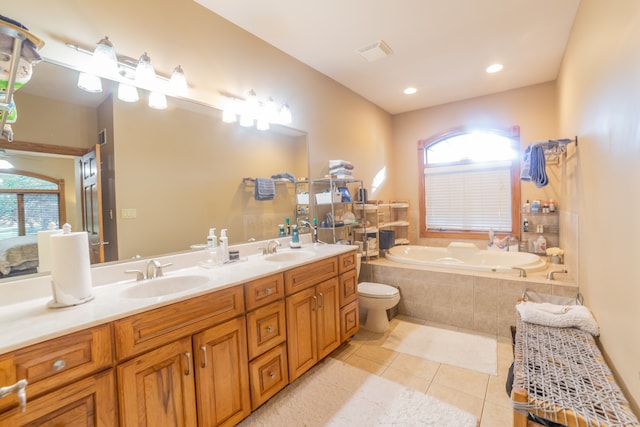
(334, 393)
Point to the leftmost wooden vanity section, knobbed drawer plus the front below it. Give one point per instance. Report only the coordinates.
(70, 380)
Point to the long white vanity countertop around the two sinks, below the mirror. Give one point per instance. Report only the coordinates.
(26, 319)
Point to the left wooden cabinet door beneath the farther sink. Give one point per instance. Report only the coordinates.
(301, 332)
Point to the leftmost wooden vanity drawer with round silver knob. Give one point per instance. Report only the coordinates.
(56, 362)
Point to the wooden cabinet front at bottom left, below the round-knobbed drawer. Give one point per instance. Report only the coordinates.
(88, 402)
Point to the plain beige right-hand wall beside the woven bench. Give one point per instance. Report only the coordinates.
(599, 100)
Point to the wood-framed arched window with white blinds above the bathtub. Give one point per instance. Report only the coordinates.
(469, 183)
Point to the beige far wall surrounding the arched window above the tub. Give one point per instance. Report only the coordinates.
(532, 108)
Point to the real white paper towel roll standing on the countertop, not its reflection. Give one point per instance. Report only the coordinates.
(70, 269)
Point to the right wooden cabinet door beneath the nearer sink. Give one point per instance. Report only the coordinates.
(222, 374)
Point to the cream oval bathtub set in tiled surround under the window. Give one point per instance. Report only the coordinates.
(466, 256)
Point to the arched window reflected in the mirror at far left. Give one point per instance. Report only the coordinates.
(29, 202)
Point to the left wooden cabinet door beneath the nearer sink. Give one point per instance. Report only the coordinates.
(157, 388)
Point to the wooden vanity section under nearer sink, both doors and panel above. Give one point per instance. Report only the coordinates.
(199, 376)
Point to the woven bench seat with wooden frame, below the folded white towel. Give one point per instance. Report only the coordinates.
(560, 375)
